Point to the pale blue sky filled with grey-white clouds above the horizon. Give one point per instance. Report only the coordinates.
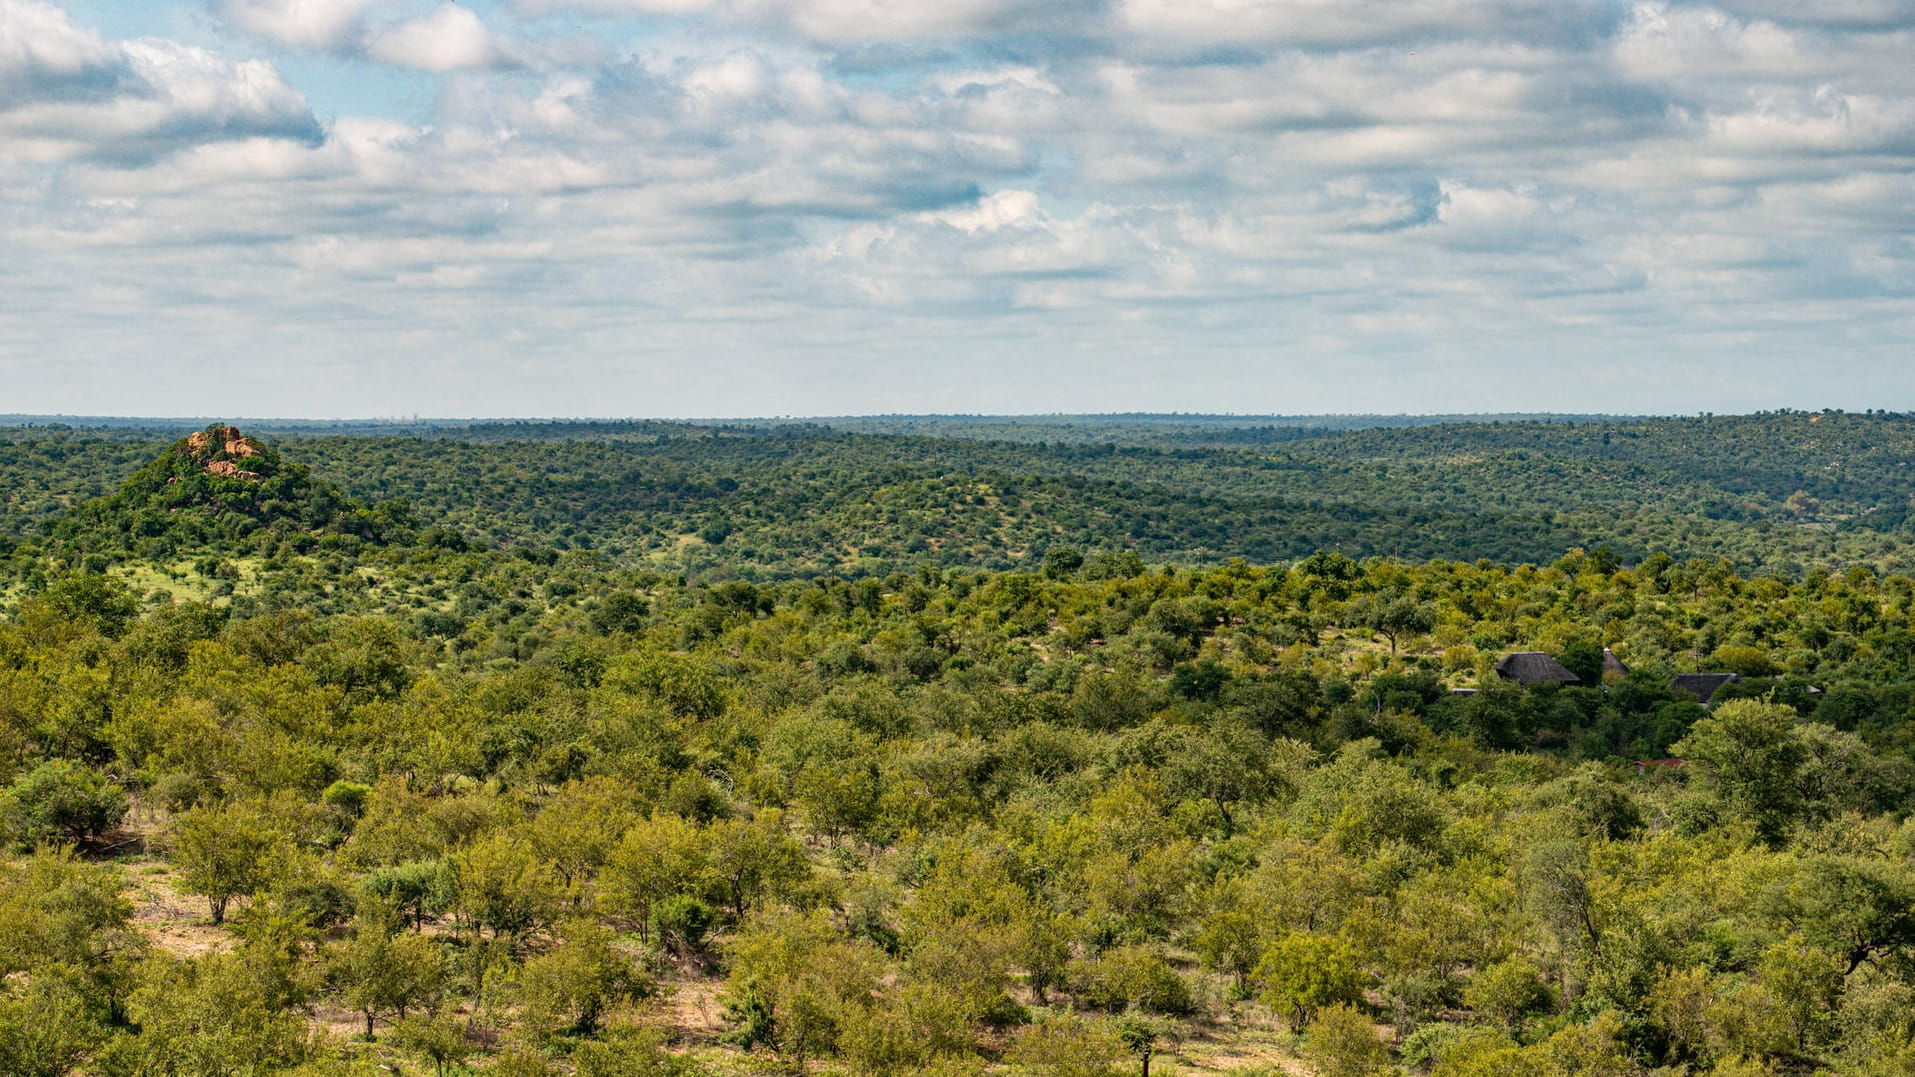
(754, 208)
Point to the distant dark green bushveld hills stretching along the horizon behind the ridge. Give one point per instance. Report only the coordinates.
(1772, 493)
